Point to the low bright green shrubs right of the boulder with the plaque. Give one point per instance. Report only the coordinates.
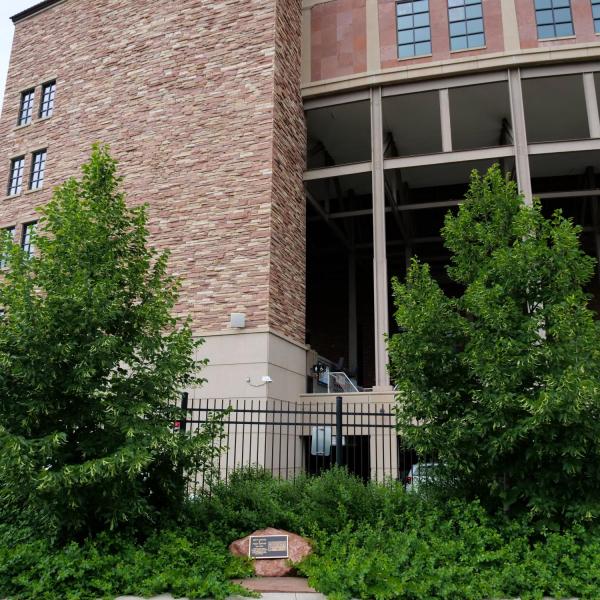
(457, 553)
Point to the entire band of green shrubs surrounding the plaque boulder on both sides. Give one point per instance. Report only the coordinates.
(398, 546)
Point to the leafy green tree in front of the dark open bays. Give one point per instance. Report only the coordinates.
(501, 384)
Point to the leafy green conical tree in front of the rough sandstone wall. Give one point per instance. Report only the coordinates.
(91, 363)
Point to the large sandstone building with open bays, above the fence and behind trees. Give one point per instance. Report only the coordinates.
(296, 153)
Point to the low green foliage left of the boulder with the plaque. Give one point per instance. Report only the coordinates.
(182, 562)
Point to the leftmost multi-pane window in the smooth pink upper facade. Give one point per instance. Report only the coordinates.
(414, 32)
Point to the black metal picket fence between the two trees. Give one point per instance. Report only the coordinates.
(290, 438)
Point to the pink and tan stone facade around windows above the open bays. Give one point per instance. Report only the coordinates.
(347, 38)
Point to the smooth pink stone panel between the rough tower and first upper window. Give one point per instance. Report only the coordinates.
(338, 39)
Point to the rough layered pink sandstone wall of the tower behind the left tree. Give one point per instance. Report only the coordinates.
(184, 94)
